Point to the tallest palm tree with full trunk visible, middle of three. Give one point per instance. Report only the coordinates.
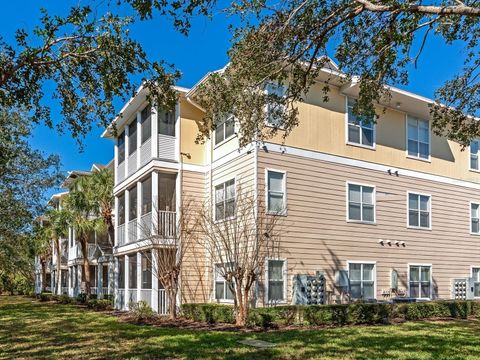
(84, 219)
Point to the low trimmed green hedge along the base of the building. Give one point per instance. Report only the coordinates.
(334, 315)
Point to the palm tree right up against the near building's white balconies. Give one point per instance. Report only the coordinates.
(101, 192)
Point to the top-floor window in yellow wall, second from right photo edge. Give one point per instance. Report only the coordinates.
(418, 134)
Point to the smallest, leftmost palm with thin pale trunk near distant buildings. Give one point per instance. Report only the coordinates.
(58, 225)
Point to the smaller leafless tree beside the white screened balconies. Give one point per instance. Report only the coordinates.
(170, 239)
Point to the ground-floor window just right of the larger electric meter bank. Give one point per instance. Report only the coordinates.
(362, 280)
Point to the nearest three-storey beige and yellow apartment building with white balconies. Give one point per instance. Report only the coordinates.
(380, 211)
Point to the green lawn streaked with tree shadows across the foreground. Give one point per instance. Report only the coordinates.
(30, 329)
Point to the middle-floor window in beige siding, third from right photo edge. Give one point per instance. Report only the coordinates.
(361, 203)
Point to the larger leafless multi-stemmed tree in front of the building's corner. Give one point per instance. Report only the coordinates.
(238, 243)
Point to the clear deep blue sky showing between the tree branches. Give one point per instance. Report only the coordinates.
(204, 50)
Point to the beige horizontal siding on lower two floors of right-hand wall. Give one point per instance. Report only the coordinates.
(319, 238)
